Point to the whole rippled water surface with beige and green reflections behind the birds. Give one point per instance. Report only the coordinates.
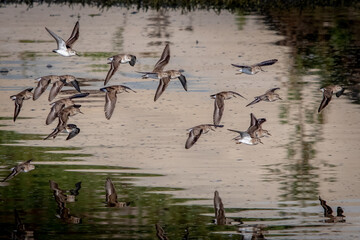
(273, 187)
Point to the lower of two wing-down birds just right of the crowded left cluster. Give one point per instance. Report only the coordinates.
(111, 98)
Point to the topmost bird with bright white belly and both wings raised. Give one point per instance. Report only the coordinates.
(65, 48)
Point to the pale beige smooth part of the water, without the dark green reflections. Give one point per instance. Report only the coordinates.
(151, 135)
